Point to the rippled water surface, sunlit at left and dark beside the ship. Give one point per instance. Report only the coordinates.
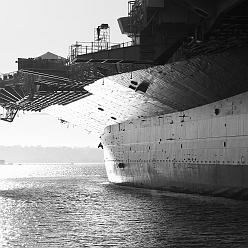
(74, 206)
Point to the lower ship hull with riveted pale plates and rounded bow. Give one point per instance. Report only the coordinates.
(202, 150)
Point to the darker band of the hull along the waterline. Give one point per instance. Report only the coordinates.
(213, 180)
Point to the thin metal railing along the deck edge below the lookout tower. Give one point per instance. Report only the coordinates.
(82, 48)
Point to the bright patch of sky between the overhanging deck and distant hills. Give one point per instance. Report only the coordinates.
(36, 129)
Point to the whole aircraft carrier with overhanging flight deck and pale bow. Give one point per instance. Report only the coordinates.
(171, 106)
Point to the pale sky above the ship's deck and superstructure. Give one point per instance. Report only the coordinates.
(30, 28)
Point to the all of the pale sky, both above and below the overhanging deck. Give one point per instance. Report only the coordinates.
(30, 28)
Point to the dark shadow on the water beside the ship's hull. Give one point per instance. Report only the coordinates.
(185, 220)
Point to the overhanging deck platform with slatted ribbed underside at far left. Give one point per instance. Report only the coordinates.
(34, 91)
